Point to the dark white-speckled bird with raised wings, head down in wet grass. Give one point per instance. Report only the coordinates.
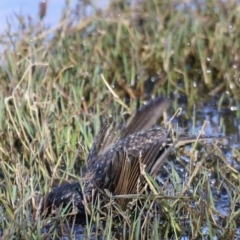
(114, 161)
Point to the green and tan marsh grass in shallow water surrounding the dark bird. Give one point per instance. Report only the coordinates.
(54, 95)
